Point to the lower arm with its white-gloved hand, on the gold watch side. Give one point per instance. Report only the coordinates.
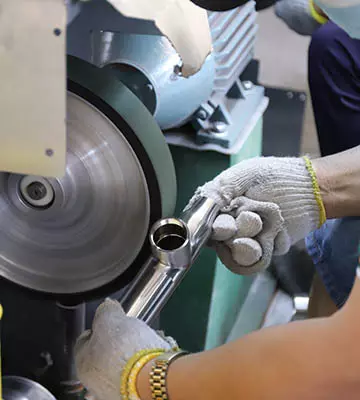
(313, 359)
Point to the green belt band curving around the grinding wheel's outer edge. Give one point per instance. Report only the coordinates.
(108, 88)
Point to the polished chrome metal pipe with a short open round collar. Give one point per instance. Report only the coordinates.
(175, 244)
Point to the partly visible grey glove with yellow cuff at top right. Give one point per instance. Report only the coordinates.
(299, 15)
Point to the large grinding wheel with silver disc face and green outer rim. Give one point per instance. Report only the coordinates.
(86, 233)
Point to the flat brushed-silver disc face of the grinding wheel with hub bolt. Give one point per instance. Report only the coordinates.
(93, 224)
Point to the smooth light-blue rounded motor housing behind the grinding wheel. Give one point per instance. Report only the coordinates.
(177, 98)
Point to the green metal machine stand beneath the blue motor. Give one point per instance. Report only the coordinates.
(203, 309)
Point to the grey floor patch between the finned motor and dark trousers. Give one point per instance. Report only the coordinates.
(283, 63)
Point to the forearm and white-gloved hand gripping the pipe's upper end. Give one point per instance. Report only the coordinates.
(292, 196)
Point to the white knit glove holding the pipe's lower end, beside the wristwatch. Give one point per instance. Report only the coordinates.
(103, 353)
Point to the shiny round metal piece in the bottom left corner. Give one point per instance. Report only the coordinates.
(18, 388)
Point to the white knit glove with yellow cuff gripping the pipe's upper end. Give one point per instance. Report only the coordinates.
(268, 203)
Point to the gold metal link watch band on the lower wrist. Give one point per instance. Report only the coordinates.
(159, 372)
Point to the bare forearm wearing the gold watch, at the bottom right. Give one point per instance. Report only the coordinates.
(315, 359)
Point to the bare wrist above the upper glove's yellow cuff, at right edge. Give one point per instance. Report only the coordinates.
(339, 180)
